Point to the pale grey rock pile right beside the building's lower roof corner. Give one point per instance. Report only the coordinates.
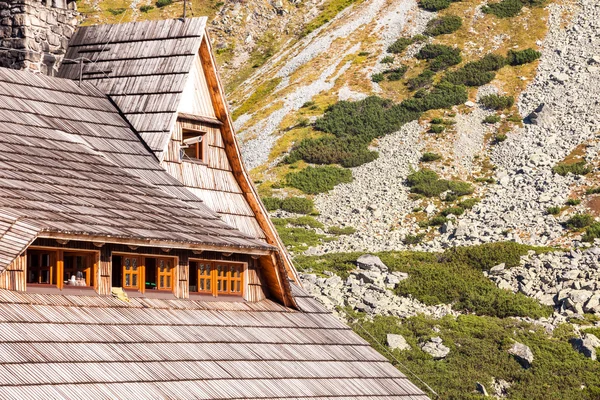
(369, 289)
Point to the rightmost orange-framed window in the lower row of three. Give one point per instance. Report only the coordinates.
(217, 278)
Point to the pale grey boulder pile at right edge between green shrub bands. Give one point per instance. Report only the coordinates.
(570, 282)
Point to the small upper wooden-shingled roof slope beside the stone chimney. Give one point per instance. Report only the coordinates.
(143, 66)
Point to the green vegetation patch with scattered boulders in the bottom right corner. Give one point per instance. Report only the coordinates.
(478, 353)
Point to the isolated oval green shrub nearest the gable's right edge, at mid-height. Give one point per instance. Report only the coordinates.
(313, 180)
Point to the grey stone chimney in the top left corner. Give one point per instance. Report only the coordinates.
(37, 32)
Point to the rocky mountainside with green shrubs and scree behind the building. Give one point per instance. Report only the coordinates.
(433, 167)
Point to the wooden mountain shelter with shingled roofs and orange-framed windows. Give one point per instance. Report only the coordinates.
(136, 259)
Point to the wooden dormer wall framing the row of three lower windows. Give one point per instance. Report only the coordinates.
(14, 277)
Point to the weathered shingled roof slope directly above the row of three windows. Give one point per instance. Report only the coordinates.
(69, 163)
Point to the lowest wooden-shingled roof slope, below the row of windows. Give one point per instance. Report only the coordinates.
(75, 347)
